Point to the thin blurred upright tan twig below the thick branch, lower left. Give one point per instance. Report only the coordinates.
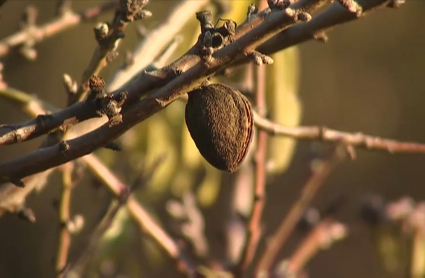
(64, 218)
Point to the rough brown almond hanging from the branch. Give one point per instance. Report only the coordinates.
(220, 121)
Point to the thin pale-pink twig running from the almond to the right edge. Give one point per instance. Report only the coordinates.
(358, 140)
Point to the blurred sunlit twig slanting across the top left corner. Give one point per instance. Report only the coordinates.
(59, 24)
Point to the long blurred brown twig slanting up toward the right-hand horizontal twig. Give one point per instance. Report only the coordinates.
(309, 191)
